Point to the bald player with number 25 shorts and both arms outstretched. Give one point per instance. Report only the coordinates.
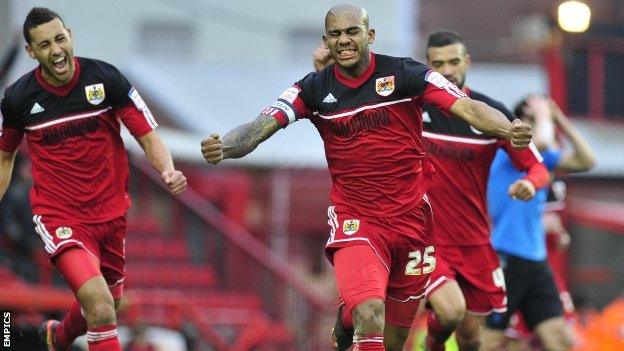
(367, 108)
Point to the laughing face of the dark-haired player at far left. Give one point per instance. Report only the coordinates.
(52, 45)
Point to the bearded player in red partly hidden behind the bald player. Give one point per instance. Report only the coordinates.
(468, 282)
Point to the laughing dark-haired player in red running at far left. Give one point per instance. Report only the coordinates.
(69, 109)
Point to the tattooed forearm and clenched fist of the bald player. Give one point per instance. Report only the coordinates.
(240, 141)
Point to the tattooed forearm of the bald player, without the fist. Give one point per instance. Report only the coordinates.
(245, 138)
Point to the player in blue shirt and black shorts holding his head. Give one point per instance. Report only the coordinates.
(518, 230)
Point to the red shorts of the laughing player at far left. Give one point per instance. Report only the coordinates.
(104, 241)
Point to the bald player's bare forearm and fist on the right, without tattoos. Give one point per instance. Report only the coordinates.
(492, 122)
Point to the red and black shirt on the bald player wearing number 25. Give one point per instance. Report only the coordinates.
(371, 128)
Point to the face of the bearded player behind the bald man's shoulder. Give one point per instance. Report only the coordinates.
(451, 61)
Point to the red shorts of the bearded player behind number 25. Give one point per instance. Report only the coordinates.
(477, 272)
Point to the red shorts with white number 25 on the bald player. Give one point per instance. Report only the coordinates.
(395, 267)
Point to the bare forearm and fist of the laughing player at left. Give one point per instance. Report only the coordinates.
(160, 158)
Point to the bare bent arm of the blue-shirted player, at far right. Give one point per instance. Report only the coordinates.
(582, 158)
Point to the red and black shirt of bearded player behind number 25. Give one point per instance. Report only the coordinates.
(462, 157)
